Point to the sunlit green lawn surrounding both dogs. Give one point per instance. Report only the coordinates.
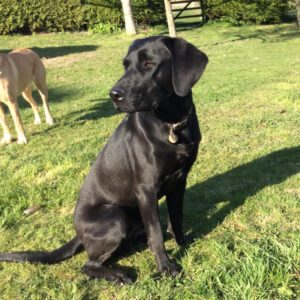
(242, 200)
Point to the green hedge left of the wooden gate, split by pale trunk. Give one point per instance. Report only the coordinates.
(28, 16)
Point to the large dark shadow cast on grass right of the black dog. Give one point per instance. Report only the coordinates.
(237, 185)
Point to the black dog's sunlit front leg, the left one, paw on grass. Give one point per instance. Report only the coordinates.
(149, 211)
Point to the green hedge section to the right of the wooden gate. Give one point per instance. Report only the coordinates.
(247, 11)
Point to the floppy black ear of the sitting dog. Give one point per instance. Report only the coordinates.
(188, 64)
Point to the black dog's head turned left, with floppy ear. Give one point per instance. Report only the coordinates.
(156, 68)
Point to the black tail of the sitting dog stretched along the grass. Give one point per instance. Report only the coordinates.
(66, 251)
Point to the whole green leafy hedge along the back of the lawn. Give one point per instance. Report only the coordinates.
(27, 16)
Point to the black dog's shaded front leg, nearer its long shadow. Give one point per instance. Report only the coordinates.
(174, 199)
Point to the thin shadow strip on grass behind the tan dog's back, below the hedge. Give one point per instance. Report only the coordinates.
(50, 52)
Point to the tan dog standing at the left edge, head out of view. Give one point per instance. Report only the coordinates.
(17, 70)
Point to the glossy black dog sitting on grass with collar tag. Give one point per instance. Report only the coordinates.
(148, 156)
